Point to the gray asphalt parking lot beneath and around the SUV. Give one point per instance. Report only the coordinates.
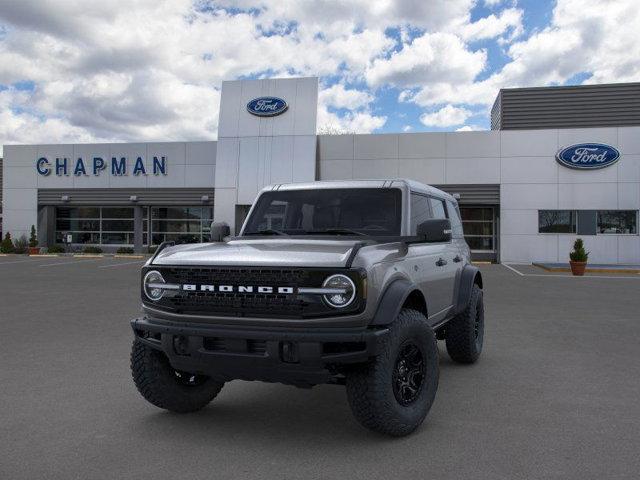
(555, 394)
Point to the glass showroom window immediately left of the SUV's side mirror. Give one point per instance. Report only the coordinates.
(180, 224)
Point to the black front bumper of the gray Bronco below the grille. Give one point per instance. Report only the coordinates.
(285, 355)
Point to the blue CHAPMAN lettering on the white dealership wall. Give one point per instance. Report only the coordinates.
(117, 166)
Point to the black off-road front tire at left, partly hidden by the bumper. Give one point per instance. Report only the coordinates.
(163, 386)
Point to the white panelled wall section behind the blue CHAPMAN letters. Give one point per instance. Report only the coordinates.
(188, 164)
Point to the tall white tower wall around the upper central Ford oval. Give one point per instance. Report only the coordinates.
(253, 151)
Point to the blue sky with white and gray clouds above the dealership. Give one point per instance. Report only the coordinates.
(77, 71)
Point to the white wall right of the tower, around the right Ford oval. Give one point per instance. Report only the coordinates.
(523, 163)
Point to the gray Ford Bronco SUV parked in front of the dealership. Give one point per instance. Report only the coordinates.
(348, 283)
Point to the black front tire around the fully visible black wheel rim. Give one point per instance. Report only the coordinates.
(372, 389)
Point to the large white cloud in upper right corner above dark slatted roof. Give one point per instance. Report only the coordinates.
(583, 37)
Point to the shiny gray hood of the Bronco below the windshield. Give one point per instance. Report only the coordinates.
(260, 252)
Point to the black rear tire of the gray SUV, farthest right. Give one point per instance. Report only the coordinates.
(465, 333)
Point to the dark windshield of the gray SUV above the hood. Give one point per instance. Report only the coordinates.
(355, 211)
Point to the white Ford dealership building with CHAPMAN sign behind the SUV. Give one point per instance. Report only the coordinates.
(559, 162)
